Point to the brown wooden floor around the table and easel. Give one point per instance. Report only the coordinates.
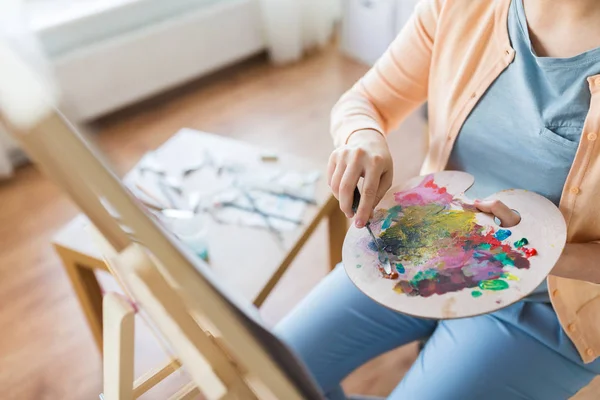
(46, 351)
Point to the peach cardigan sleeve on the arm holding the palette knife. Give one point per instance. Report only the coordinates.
(396, 85)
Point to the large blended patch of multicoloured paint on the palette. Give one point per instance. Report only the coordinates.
(441, 248)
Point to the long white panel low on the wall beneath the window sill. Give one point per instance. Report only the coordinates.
(115, 73)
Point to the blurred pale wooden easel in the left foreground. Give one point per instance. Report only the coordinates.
(226, 351)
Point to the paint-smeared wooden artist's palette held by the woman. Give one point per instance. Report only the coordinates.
(450, 260)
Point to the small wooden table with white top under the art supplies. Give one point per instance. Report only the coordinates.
(248, 259)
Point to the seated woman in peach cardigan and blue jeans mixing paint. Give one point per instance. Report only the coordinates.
(510, 80)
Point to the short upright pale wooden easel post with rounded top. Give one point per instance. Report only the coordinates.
(119, 330)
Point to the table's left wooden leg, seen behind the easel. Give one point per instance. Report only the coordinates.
(88, 292)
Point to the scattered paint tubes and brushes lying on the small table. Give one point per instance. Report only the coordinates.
(226, 189)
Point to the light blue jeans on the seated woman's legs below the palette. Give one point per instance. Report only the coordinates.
(520, 352)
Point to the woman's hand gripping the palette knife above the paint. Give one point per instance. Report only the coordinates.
(365, 155)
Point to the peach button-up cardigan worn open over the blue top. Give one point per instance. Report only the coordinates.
(448, 54)
